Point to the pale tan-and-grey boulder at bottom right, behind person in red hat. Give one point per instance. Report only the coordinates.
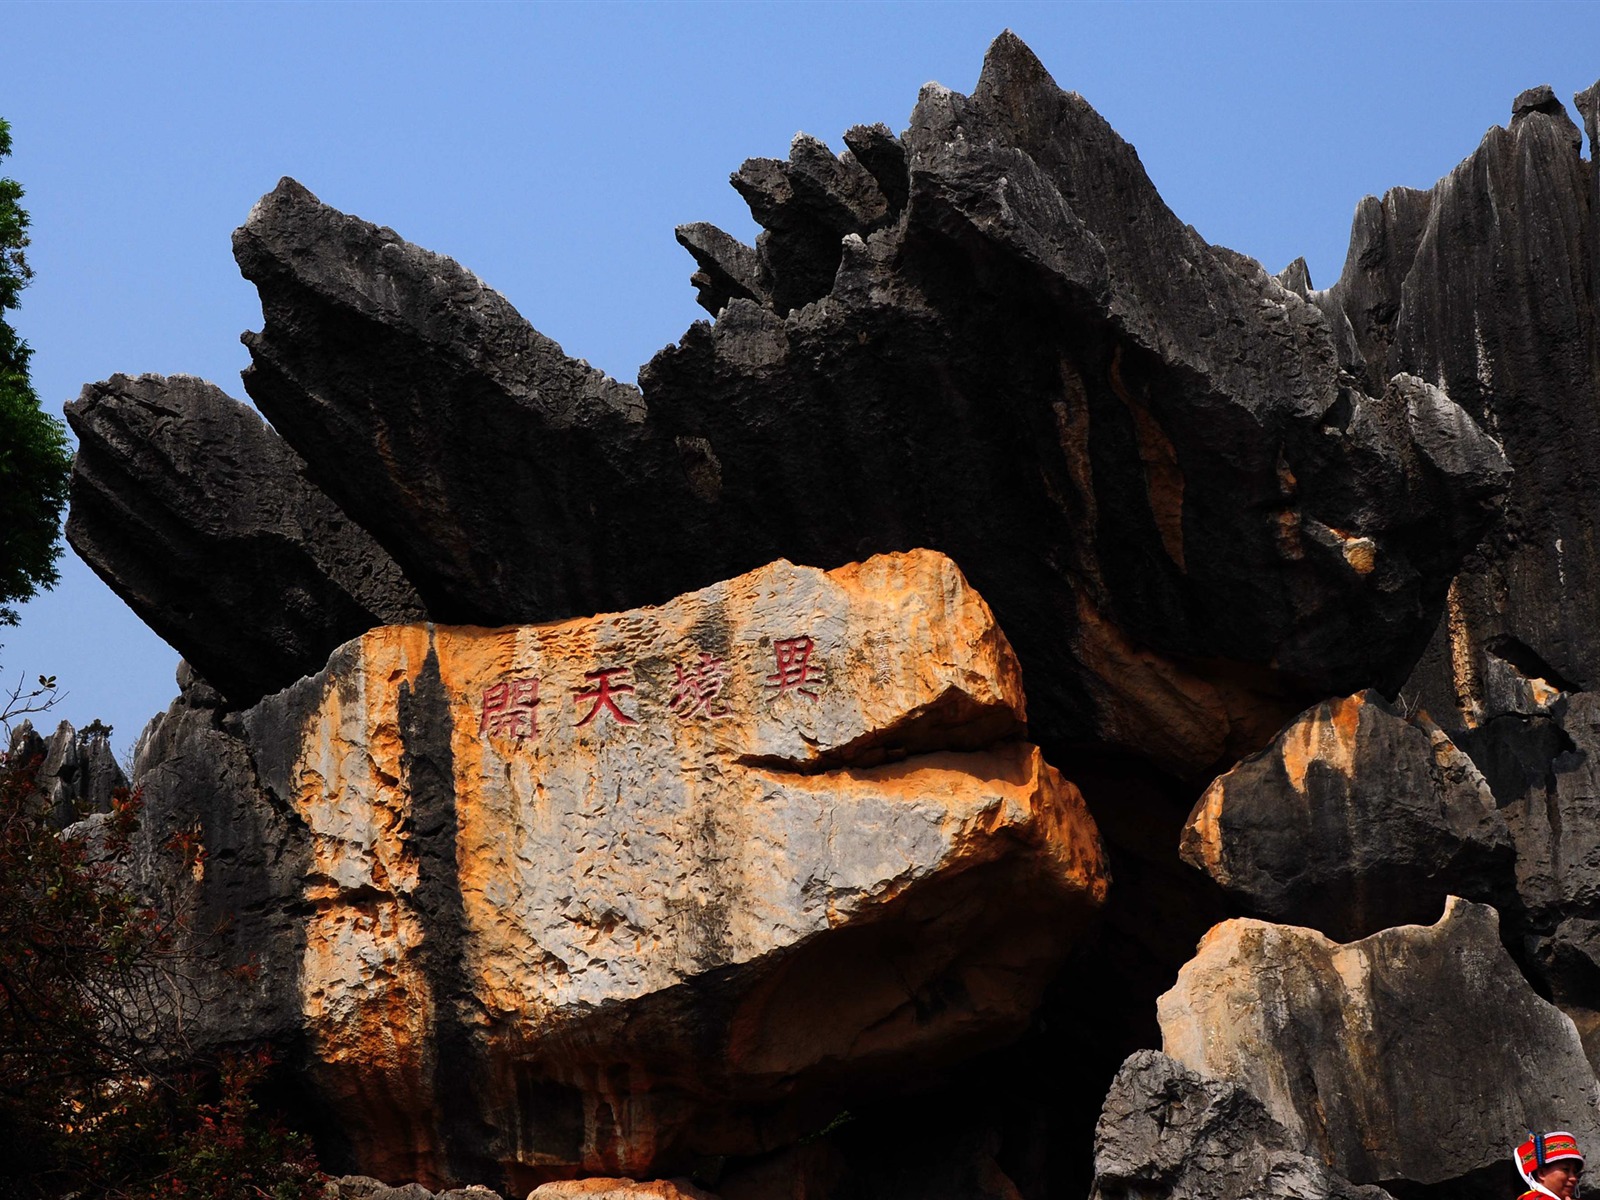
(1404, 1057)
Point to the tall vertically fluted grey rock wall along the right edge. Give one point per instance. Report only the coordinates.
(1487, 286)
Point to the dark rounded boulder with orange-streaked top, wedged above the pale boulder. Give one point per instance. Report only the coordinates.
(1354, 820)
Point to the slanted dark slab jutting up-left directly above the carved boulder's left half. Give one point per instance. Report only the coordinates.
(503, 476)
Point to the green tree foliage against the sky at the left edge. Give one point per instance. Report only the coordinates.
(36, 458)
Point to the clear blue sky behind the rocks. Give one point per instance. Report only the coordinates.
(553, 150)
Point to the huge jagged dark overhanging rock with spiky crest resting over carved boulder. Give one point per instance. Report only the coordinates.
(972, 338)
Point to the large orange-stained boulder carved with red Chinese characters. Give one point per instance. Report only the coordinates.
(598, 895)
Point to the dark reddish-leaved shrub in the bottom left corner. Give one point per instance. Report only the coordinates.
(90, 1102)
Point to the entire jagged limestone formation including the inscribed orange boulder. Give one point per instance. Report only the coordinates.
(610, 895)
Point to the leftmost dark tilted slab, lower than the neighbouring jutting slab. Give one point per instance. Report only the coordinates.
(199, 518)
